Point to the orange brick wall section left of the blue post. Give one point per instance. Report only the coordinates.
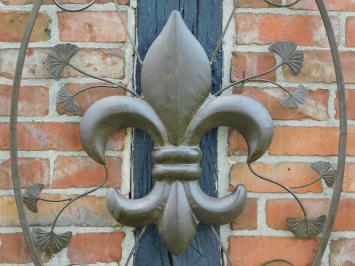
(49, 146)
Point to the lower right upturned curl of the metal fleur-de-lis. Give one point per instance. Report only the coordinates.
(216, 211)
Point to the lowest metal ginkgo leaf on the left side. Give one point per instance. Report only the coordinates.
(50, 241)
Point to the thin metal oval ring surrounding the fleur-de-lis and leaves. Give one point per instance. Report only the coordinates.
(14, 113)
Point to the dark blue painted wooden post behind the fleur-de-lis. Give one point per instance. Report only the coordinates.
(204, 18)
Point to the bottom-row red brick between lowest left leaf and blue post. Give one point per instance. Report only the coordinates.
(96, 247)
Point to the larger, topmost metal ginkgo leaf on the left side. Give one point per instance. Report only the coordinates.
(60, 57)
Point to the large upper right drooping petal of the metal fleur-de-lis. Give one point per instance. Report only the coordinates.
(242, 113)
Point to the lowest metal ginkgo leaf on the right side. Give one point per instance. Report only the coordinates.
(306, 228)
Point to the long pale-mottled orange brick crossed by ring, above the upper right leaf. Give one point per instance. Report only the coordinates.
(270, 28)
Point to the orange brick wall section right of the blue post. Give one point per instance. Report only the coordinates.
(302, 136)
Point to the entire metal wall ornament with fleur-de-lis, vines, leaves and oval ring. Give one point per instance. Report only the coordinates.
(176, 109)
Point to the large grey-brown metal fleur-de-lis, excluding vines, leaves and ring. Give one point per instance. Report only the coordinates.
(176, 110)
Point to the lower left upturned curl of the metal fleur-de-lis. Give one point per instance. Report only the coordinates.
(139, 212)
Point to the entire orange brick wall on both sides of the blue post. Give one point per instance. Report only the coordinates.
(50, 150)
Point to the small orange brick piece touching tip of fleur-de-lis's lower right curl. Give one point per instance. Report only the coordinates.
(248, 219)
